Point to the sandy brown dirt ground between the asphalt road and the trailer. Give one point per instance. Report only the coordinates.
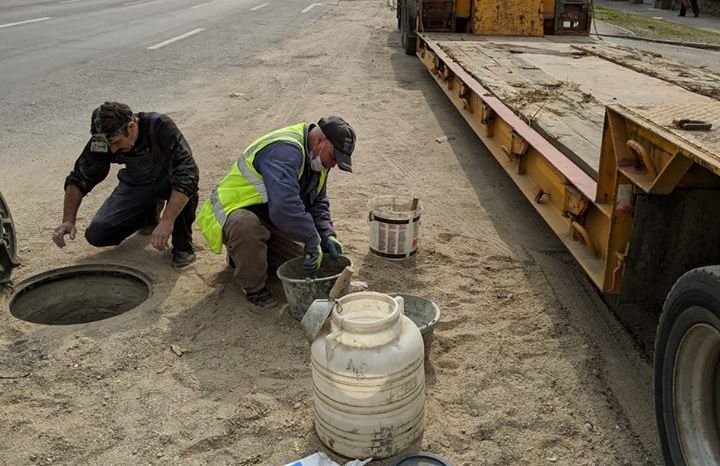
(526, 366)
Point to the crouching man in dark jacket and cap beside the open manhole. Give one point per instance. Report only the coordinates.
(159, 167)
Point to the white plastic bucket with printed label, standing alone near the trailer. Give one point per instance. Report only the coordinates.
(394, 226)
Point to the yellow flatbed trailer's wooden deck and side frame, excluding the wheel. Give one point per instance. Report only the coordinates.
(540, 107)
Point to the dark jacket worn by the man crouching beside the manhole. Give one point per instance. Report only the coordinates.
(160, 153)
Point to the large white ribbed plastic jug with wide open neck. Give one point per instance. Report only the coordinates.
(369, 378)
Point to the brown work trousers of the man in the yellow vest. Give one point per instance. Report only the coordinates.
(253, 244)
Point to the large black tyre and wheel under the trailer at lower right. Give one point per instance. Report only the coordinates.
(687, 370)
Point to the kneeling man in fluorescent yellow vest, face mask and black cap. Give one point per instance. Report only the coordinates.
(273, 198)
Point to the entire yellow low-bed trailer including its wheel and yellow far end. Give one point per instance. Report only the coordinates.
(619, 151)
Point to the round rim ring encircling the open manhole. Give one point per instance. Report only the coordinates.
(78, 271)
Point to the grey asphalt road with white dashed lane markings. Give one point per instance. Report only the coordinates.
(59, 59)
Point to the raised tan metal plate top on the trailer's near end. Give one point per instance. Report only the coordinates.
(702, 146)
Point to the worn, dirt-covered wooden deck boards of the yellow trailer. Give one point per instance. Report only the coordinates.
(560, 86)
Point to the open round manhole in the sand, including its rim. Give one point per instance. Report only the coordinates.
(80, 294)
